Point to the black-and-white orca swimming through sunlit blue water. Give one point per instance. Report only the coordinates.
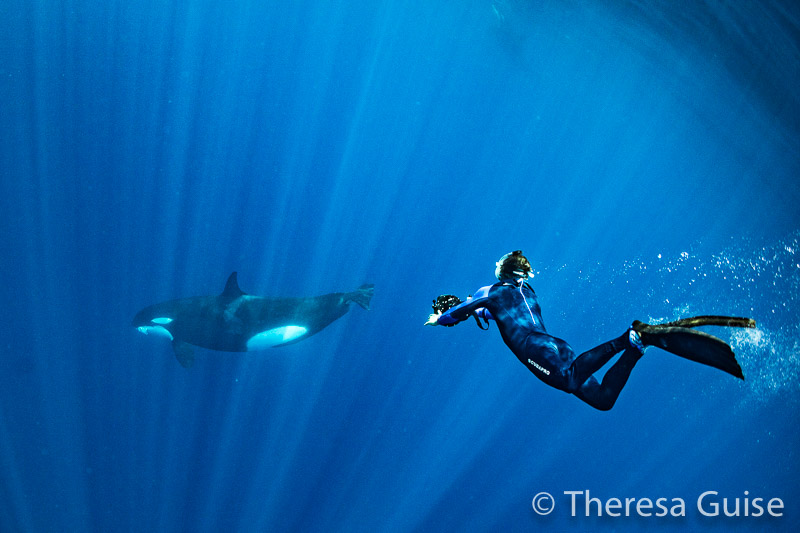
(235, 321)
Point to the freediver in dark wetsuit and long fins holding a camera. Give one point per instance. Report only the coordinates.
(513, 305)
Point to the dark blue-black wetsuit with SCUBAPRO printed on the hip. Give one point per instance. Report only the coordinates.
(515, 308)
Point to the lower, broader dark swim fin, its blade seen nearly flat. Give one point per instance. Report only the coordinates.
(690, 344)
